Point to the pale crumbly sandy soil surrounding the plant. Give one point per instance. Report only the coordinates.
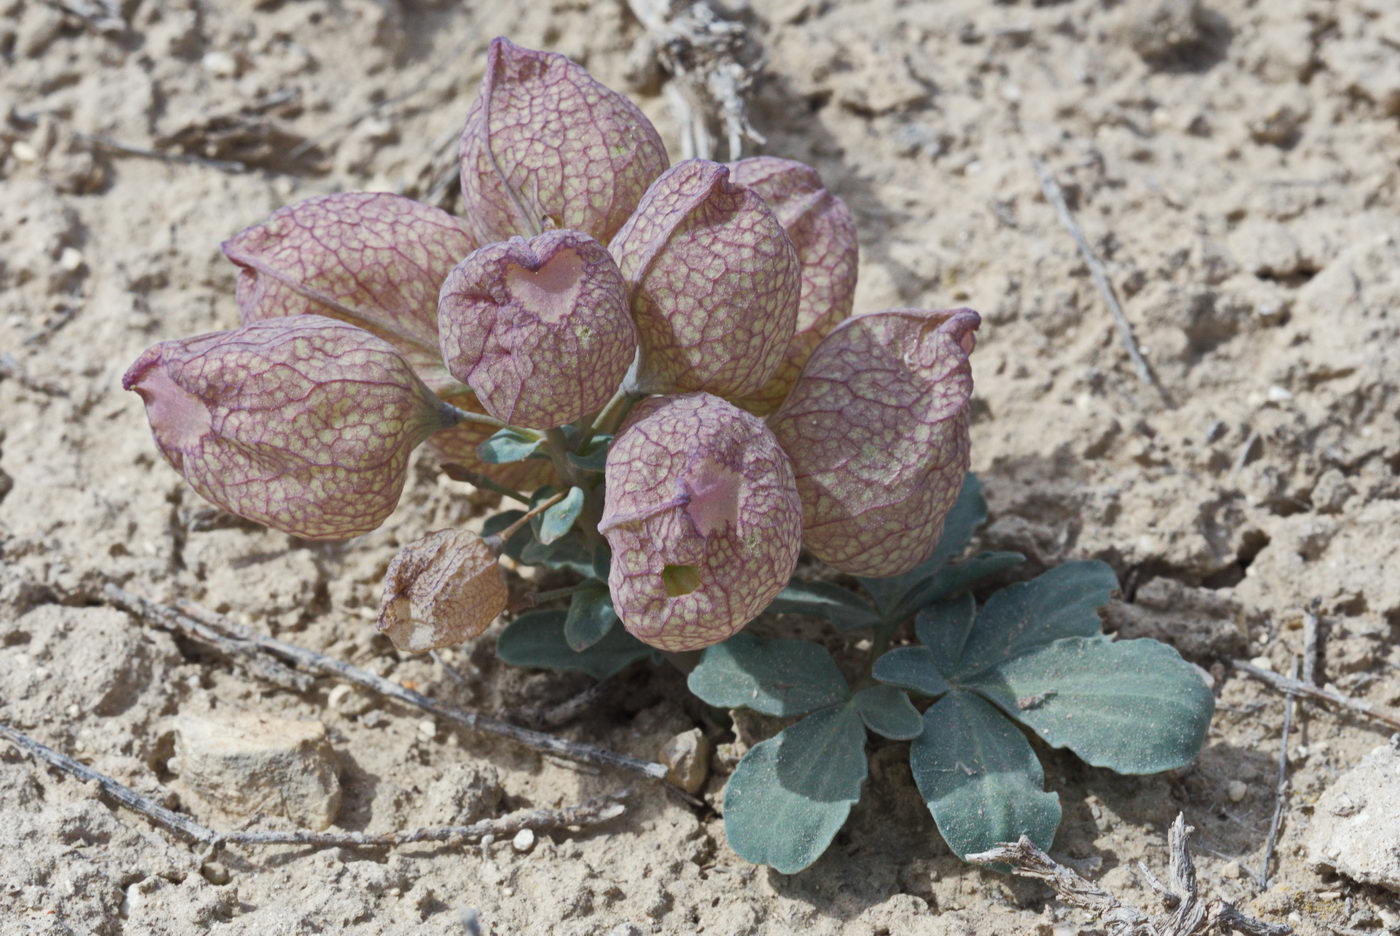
(1237, 173)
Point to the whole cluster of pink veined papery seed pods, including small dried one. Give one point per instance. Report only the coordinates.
(584, 271)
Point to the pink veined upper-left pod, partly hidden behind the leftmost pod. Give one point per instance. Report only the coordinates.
(376, 261)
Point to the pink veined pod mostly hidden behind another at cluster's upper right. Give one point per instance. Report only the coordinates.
(824, 233)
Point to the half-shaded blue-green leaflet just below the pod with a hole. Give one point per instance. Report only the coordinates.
(771, 676)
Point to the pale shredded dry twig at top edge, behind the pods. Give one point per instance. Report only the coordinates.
(715, 64)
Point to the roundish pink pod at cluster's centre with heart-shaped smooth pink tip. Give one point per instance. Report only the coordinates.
(540, 329)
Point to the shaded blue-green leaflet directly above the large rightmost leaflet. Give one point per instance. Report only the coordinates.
(1065, 602)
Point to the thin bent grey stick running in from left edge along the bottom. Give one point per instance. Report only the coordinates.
(590, 814)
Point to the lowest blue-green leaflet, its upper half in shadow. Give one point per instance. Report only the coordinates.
(792, 794)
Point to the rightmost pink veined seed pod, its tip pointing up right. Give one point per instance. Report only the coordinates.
(877, 430)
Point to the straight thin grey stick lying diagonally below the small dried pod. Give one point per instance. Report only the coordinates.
(474, 721)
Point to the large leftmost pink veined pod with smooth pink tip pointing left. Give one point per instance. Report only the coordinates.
(303, 423)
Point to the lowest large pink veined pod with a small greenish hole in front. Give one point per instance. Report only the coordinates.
(702, 517)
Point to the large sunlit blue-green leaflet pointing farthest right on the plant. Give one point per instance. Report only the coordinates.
(1135, 707)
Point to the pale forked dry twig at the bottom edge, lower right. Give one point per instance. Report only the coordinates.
(1191, 916)
